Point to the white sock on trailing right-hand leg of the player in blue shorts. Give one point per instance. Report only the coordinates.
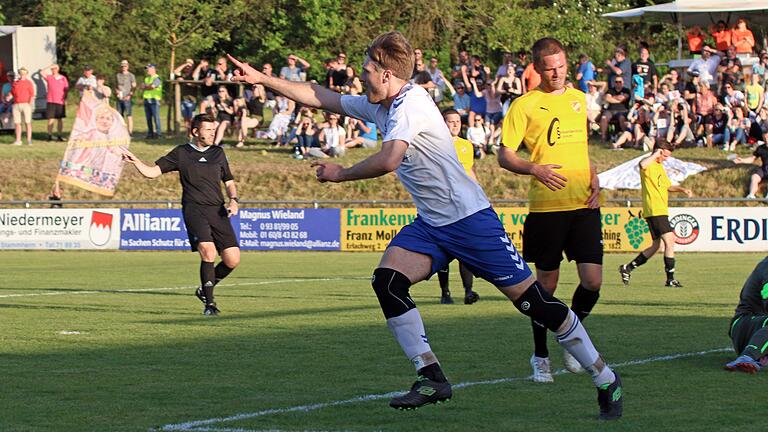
(574, 338)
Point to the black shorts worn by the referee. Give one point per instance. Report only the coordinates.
(209, 224)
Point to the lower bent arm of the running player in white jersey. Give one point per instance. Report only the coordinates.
(383, 162)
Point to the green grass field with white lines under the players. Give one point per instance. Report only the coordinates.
(115, 341)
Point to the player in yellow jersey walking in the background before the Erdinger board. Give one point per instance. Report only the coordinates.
(656, 187)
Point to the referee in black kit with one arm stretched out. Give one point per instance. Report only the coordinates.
(201, 166)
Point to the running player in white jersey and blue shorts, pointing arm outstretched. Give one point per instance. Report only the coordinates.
(455, 219)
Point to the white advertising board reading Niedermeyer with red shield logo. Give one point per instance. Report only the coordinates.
(59, 229)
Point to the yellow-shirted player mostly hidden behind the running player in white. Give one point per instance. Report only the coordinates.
(465, 153)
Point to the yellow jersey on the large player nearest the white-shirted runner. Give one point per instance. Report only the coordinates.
(554, 130)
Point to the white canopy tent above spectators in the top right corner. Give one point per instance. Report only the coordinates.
(699, 12)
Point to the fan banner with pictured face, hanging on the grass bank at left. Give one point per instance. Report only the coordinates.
(93, 159)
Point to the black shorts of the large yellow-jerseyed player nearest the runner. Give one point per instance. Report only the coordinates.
(547, 235)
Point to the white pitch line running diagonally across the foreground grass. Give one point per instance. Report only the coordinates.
(200, 425)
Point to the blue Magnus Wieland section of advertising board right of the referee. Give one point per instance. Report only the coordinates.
(288, 229)
